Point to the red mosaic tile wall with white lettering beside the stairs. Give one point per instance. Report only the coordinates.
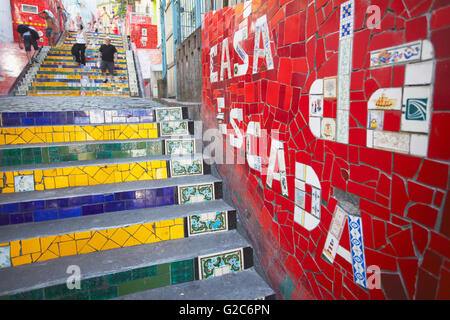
(355, 171)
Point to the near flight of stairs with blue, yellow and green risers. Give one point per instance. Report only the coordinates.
(115, 190)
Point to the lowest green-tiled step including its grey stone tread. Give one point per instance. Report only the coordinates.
(31, 280)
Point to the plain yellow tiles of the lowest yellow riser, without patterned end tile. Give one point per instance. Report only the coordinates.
(28, 251)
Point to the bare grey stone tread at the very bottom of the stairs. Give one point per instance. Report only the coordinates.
(243, 285)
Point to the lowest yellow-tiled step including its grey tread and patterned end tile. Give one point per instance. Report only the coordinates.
(32, 243)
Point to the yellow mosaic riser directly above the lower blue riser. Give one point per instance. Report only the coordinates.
(81, 176)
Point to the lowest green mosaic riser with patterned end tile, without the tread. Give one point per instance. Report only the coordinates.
(140, 279)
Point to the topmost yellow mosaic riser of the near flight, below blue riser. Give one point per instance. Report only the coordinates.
(94, 132)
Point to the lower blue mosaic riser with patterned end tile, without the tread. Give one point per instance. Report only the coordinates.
(62, 208)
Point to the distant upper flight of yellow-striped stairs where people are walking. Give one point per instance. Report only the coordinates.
(57, 74)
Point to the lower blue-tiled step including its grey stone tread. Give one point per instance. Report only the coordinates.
(93, 200)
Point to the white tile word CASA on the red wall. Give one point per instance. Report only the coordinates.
(262, 30)
